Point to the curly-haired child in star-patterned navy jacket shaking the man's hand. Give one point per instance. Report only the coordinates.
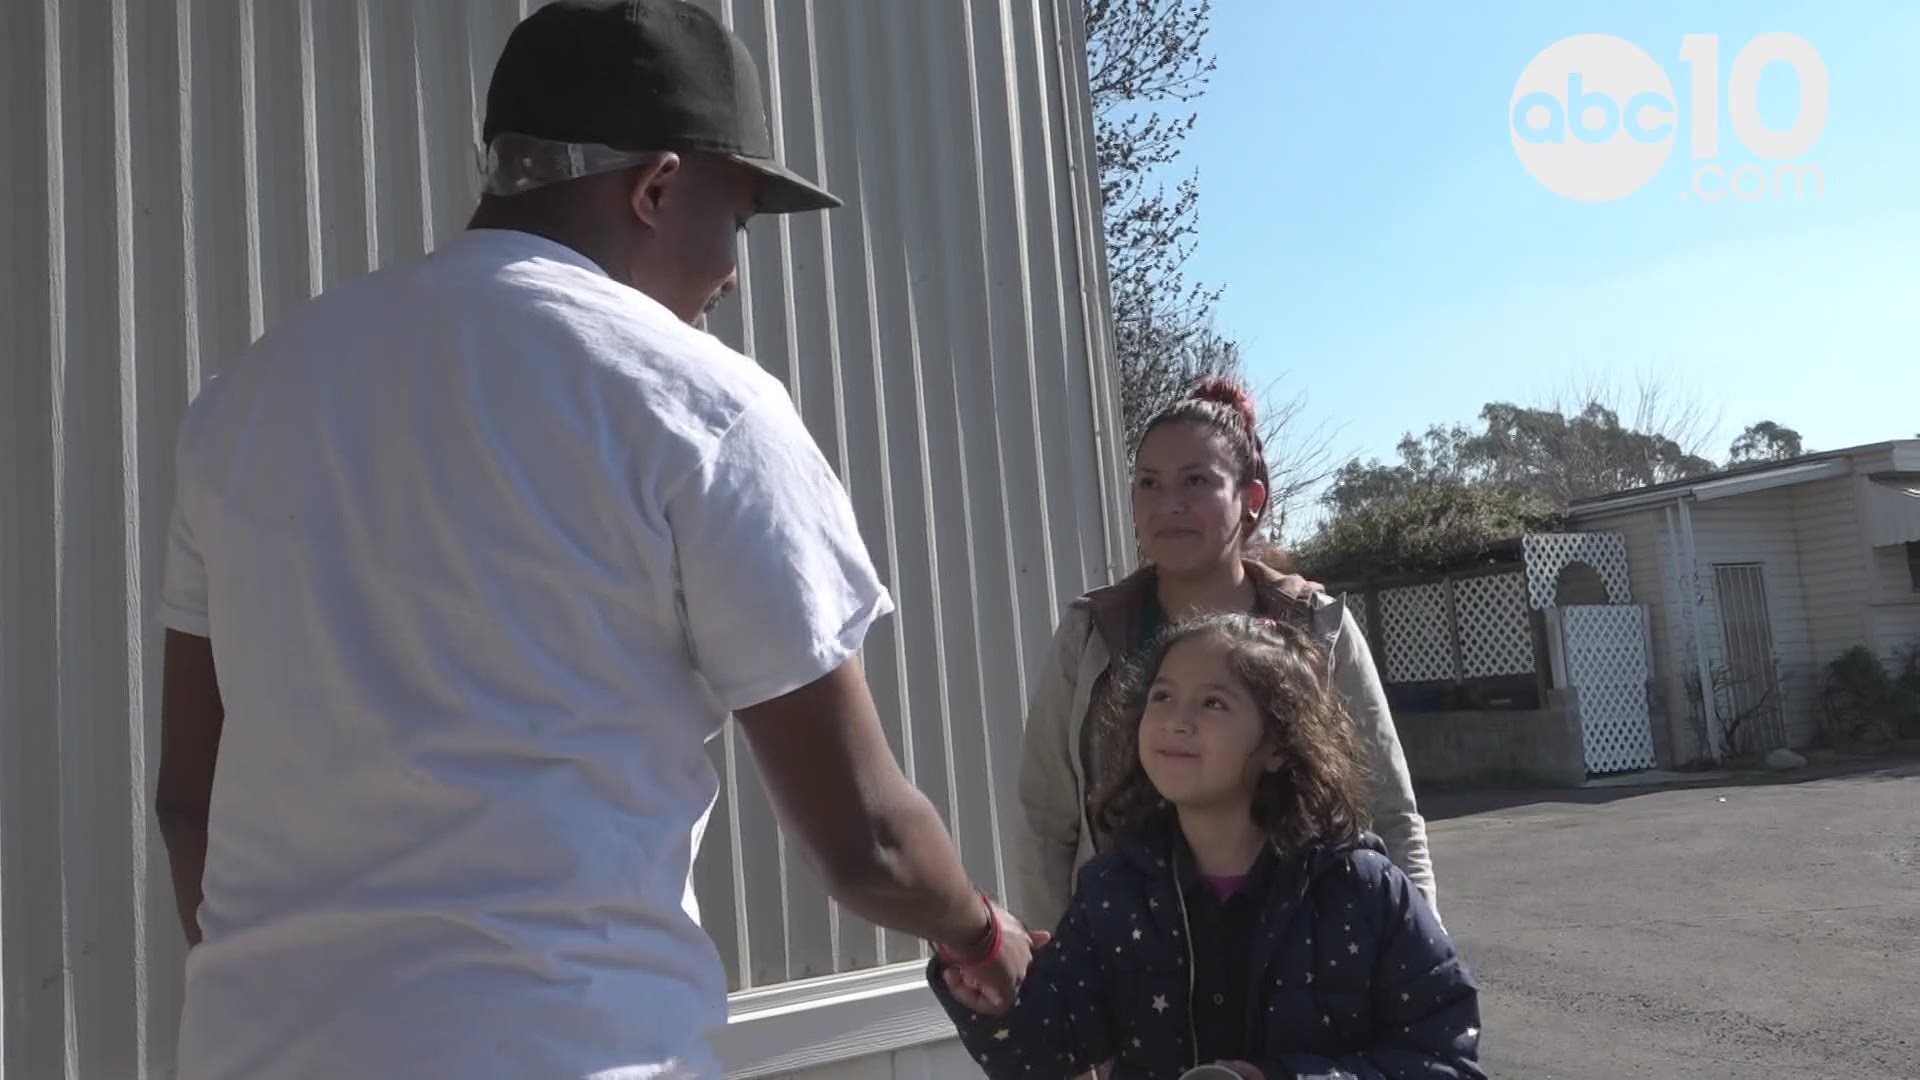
(1243, 916)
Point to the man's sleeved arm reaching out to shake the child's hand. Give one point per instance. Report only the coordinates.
(777, 595)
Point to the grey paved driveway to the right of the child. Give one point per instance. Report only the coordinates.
(1746, 931)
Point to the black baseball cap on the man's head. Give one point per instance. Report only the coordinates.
(642, 76)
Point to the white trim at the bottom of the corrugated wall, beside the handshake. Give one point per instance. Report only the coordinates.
(832, 1019)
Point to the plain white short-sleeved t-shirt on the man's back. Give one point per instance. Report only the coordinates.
(489, 549)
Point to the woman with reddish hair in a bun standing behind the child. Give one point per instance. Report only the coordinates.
(1199, 497)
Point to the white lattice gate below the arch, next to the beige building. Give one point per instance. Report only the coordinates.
(1608, 668)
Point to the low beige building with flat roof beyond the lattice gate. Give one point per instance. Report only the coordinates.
(1756, 579)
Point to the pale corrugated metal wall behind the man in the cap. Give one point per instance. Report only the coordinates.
(183, 172)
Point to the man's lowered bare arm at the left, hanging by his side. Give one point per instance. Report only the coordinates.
(191, 718)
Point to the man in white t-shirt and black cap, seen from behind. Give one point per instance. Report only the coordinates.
(468, 564)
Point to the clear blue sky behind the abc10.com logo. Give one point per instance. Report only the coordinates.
(1387, 255)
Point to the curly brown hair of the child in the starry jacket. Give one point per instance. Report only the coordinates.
(1318, 793)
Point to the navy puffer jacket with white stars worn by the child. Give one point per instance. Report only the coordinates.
(1351, 977)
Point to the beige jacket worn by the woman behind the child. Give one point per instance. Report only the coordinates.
(1053, 775)
